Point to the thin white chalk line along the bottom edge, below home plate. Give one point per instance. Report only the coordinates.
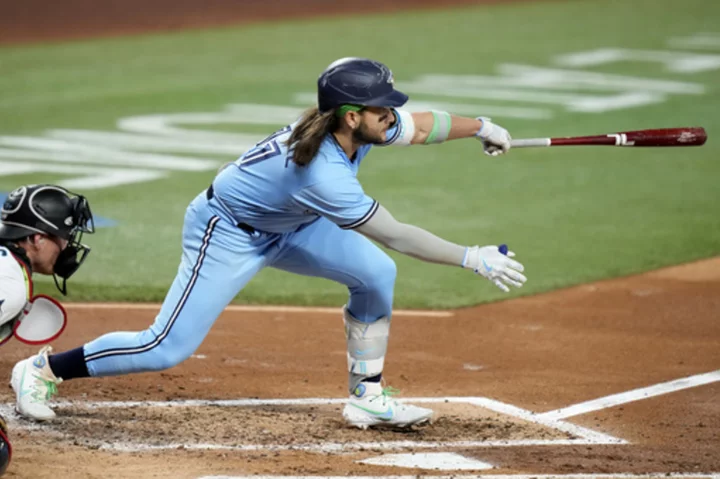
(675, 475)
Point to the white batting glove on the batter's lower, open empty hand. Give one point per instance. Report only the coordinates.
(492, 264)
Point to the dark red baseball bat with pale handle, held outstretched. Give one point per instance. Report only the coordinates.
(690, 136)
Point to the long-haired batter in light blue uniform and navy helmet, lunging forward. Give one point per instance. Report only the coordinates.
(293, 202)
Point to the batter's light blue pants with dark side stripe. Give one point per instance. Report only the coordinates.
(218, 260)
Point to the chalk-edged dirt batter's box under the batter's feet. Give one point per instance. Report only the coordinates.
(301, 425)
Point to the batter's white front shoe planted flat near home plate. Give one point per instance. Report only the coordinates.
(374, 406)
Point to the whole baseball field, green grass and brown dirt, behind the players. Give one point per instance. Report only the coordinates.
(605, 364)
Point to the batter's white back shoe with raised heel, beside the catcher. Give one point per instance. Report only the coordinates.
(34, 384)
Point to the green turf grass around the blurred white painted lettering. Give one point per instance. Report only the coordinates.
(572, 215)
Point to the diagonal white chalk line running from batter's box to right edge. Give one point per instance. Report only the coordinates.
(631, 396)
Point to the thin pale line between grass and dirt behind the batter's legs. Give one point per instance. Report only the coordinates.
(423, 313)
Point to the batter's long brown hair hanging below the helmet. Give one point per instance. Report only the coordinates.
(308, 134)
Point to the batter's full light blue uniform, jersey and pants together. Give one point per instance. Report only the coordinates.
(299, 207)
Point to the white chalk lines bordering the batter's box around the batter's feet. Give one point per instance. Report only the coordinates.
(581, 435)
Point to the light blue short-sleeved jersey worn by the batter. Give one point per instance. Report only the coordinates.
(265, 189)
